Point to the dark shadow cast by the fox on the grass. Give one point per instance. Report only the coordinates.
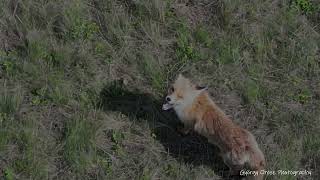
(192, 149)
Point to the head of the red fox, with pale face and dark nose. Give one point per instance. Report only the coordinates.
(182, 93)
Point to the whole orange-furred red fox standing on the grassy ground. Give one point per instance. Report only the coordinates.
(194, 107)
